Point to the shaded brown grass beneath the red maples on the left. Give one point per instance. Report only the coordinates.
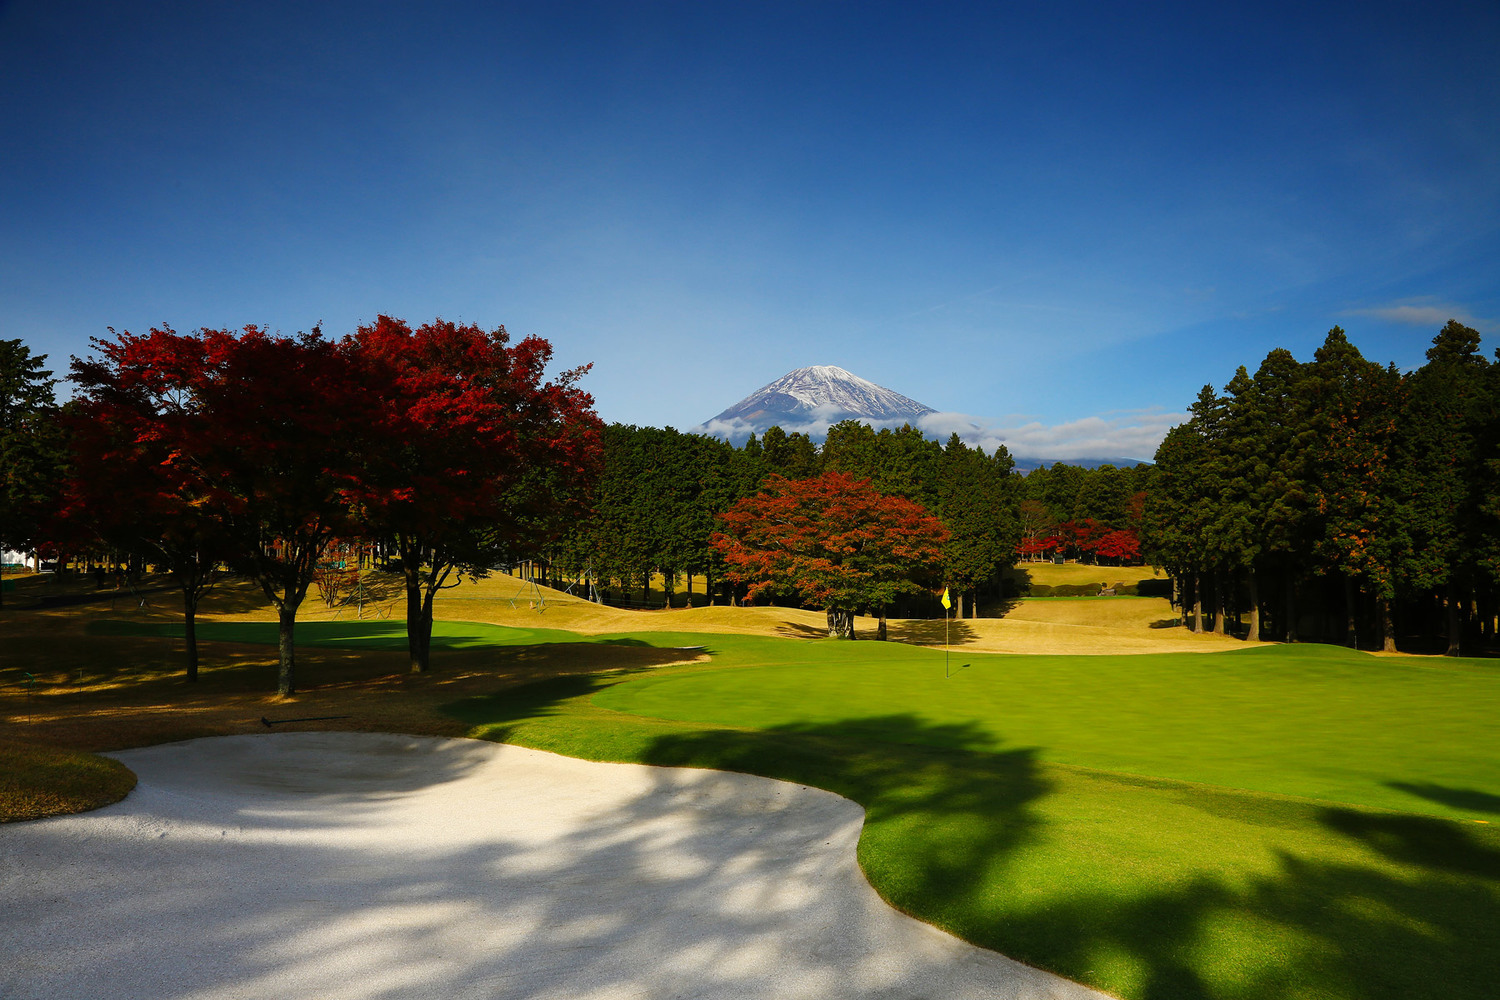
(97, 693)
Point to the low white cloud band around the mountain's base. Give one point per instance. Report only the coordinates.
(1117, 436)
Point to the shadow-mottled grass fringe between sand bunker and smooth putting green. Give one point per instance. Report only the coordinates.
(1351, 905)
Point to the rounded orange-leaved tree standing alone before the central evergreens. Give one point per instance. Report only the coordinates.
(835, 540)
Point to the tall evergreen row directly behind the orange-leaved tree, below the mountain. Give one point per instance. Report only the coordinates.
(661, 494)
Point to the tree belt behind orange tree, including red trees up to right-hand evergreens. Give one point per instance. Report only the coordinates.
(661, 494)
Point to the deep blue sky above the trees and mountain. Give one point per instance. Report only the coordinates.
(1057, 220)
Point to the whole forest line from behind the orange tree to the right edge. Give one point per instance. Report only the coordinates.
(1336, 500)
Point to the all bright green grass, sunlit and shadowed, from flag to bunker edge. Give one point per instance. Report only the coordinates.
(1277, 822)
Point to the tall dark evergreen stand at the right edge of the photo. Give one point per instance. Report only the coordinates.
(1340, 500)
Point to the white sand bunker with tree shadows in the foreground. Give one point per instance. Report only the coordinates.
(349, 866)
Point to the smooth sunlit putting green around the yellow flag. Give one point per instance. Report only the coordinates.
(1315, 722)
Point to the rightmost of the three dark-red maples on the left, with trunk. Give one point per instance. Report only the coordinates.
(475, 458)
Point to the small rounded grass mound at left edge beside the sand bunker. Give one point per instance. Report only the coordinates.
(38, 782)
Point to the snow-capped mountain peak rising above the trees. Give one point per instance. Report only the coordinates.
(812, 400)
